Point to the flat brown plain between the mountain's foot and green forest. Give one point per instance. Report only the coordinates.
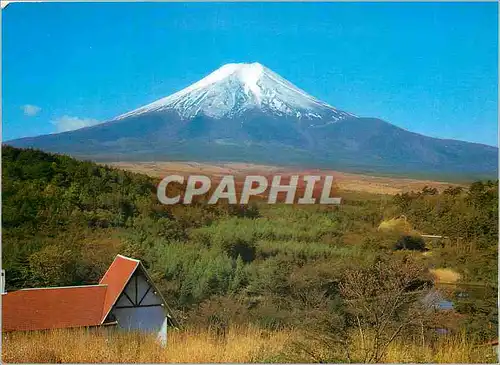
(343, 181)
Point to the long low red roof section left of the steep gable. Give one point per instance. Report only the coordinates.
(50, 308)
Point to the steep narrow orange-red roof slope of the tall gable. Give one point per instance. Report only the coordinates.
(116, 278)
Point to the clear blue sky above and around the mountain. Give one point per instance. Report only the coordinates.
(427, 67)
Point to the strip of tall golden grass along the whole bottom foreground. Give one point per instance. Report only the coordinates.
(240, 344)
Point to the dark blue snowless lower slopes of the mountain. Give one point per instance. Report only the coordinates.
(364, 145)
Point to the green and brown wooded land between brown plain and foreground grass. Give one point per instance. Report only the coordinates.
(326, 272)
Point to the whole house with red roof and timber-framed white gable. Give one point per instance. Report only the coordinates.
(125, 296)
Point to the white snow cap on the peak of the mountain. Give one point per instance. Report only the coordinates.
(235, 88)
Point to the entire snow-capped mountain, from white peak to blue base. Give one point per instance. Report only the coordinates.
(246, 112)
